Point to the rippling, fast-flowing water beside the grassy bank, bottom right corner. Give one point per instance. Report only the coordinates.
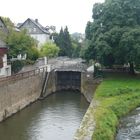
(130, 127)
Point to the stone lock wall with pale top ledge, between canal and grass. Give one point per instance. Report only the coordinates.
(87, 126)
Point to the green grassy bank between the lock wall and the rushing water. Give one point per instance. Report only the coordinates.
(117, 95)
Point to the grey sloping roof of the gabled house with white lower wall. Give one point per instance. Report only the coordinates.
(37, 24)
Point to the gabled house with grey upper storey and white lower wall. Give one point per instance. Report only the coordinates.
(36, 30)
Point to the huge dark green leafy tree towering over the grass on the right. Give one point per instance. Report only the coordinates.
(115, 26)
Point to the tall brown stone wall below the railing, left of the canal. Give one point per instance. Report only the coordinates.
(16, 94)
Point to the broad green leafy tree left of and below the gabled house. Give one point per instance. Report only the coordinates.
(21, 43)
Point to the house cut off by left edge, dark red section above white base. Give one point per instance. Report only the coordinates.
(5, 70)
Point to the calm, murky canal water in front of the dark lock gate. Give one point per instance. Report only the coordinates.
(55, 118)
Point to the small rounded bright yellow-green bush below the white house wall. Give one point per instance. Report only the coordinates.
(49, 49)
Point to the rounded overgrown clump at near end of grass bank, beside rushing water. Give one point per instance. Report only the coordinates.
(105, 127)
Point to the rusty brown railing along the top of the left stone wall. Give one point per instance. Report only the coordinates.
(23, 75)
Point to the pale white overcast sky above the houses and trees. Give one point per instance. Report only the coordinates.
(73, 13)
